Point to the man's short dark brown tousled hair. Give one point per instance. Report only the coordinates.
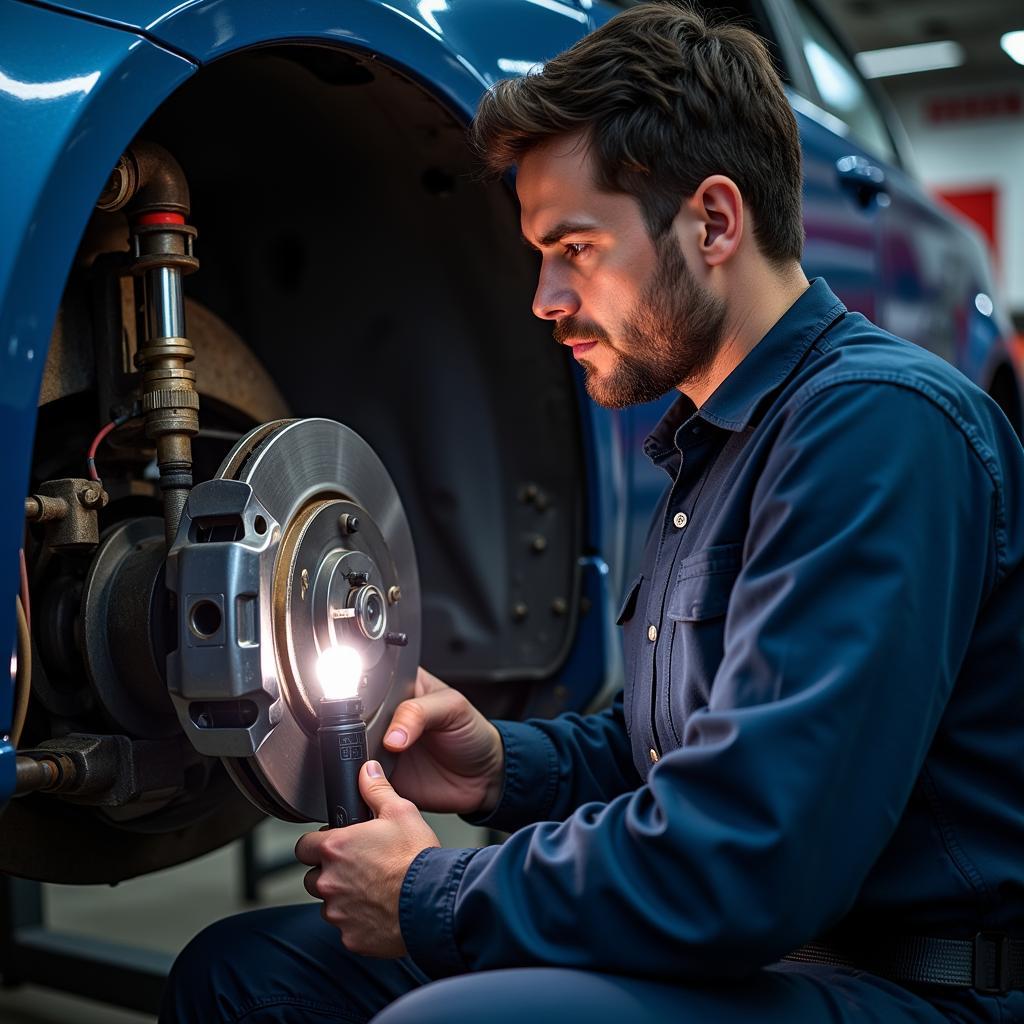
(666, 99)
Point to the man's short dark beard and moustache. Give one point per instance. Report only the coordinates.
(670, 338)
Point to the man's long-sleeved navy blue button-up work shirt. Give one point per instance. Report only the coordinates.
(823, 723)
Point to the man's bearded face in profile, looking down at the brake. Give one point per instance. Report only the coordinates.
(638, 321)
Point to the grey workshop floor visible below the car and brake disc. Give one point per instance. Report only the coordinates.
(162, 912)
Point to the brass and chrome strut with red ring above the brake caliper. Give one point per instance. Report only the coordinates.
(150, 185)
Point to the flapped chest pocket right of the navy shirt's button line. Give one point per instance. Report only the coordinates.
(697, 610)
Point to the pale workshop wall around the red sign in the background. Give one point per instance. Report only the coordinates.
(966, 154)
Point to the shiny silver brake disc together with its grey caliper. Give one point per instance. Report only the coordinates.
(300, 544)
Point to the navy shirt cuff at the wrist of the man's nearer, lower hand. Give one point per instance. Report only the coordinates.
(426, 911)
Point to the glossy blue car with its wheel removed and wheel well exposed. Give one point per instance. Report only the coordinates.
(355, 267)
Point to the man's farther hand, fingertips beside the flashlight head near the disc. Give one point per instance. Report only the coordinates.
(451, 759)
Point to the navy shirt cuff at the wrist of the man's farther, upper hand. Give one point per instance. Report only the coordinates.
(531, 779)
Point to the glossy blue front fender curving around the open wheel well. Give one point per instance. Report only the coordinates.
(77, 88)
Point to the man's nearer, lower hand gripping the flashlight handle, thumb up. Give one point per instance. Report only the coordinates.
(358, 872)
